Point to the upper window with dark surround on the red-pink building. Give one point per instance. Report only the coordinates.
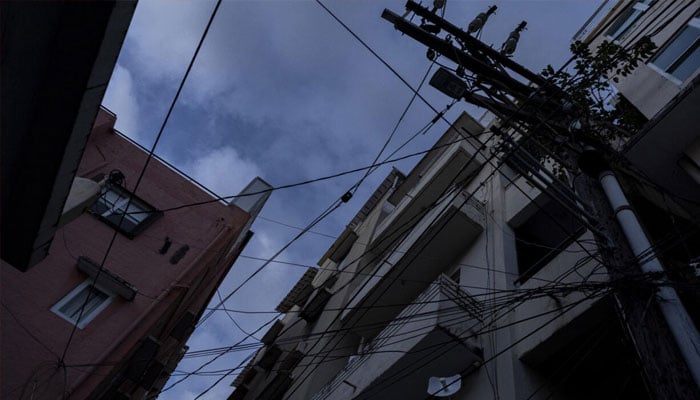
(111, 206)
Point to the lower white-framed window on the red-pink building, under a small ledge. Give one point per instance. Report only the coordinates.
(69, 307)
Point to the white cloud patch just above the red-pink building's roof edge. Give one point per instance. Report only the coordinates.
(223, 171)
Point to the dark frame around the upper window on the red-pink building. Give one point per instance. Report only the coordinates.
(104, 211)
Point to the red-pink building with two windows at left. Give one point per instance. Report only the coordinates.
(160, 273)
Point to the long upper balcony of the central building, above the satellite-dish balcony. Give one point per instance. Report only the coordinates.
(436, 241)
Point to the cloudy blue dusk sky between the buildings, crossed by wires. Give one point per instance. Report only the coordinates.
(282, 91)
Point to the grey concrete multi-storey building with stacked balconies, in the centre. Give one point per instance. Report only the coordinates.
(453, 278)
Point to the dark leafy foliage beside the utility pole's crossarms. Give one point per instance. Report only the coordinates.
(590, 103)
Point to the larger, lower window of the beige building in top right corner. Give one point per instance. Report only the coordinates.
(680, 57)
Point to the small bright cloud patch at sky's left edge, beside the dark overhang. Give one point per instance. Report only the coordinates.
(122, 100)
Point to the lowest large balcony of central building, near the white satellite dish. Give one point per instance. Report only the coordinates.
(434, 336)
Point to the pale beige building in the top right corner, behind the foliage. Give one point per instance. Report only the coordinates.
(664, 88)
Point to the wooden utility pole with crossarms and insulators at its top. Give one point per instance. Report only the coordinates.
(669, 372)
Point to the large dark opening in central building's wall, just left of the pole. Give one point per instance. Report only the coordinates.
(543, 236)
